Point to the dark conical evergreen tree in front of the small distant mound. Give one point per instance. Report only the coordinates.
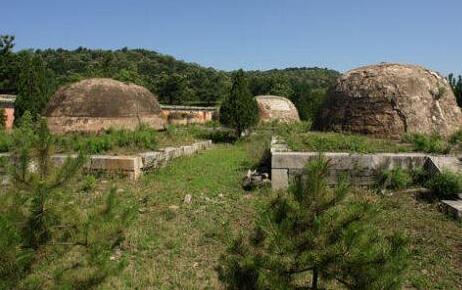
(239, 110)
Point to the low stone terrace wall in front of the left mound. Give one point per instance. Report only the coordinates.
(134, 166)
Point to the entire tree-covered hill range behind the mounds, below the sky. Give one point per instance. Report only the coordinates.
(174, 81)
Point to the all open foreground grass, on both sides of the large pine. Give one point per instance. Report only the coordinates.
(165, 243)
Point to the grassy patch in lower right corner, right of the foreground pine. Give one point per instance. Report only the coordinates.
(435, 239)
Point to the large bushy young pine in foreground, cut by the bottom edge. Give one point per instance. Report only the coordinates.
(312, 235)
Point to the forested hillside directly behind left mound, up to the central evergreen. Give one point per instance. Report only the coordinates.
(174, 81)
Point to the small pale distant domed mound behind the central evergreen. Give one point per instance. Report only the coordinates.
(274, 108)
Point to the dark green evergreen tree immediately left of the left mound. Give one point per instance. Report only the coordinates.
(35, 86)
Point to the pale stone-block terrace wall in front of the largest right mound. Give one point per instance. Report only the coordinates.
(360, 168)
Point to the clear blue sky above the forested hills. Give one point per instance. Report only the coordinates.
(252, 34)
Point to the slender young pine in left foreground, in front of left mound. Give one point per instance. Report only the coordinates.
(34, 175)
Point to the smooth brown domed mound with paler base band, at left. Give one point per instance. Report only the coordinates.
(97, 104)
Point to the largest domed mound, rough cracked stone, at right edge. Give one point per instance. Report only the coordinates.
(387, 100)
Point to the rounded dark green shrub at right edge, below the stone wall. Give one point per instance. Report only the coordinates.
(446, 185)
